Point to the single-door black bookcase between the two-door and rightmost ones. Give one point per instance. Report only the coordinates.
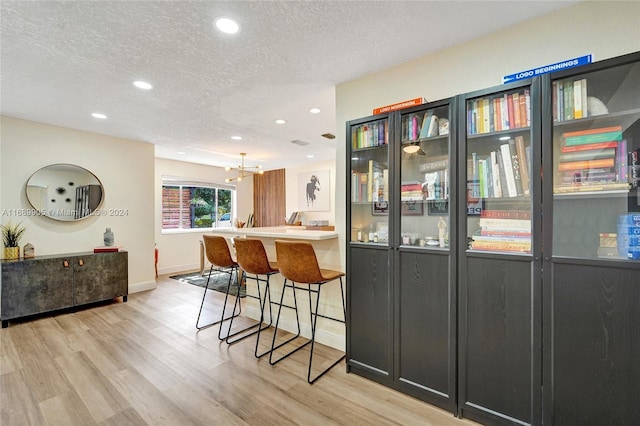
(499, 280)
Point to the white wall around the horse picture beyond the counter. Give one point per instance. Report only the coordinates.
(293, 192)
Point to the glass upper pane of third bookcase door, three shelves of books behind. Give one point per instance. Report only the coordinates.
(498, 172)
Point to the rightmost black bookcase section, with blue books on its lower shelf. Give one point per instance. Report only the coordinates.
(591, 274)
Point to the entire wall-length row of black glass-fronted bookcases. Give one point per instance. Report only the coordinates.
(494, 267)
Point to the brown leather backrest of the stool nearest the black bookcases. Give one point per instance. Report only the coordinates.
(297, 261)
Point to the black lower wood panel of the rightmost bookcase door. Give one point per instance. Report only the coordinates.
(595, 345)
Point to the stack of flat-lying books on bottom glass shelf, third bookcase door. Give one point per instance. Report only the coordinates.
(503, 230)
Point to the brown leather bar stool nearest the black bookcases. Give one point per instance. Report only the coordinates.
(298, 263)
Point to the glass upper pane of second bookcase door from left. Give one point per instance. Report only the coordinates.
(425, 178)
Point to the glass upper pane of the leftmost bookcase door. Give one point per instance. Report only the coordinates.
(370, 182)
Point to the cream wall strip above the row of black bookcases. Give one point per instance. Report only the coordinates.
(603, 28)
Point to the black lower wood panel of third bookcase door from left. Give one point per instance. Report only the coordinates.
(497, 346)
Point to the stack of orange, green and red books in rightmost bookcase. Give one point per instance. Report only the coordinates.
(592, 160)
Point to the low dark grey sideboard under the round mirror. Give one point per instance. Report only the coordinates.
(49, 283)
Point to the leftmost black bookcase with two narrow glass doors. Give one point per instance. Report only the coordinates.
(401, 252)
